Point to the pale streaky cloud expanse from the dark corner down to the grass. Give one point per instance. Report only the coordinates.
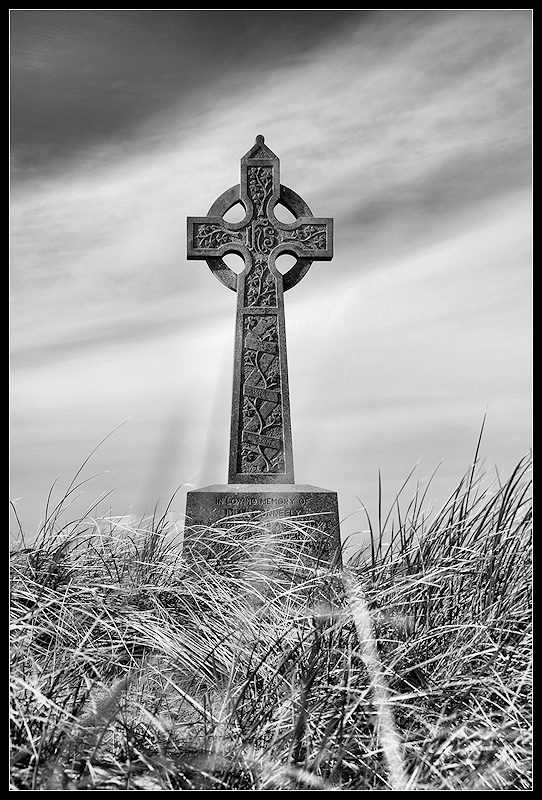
(411, 130)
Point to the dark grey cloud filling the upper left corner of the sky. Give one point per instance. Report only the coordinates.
(82, 78)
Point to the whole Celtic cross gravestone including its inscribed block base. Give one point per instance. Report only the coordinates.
(261, 469)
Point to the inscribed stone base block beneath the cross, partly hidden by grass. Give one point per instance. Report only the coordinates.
(315, 510)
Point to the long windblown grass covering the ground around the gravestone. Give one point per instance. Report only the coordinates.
(137, 665)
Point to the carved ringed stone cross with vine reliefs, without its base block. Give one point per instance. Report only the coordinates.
(261, 437)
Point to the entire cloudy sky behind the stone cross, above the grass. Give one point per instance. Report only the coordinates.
(411, 128)
